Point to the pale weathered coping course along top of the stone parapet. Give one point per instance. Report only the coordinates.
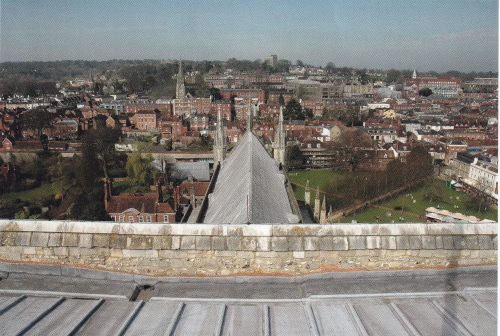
(251, 230)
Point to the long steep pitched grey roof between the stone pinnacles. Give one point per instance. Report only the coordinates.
(250, 188)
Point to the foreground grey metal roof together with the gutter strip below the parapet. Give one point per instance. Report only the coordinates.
(58, 300)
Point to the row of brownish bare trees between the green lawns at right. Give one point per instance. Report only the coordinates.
(359, 186)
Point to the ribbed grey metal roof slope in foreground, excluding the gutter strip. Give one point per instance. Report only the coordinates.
(468, 312)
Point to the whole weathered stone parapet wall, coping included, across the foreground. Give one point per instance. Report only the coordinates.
(205, 249)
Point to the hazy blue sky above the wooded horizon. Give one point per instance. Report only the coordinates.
(426, 35)
